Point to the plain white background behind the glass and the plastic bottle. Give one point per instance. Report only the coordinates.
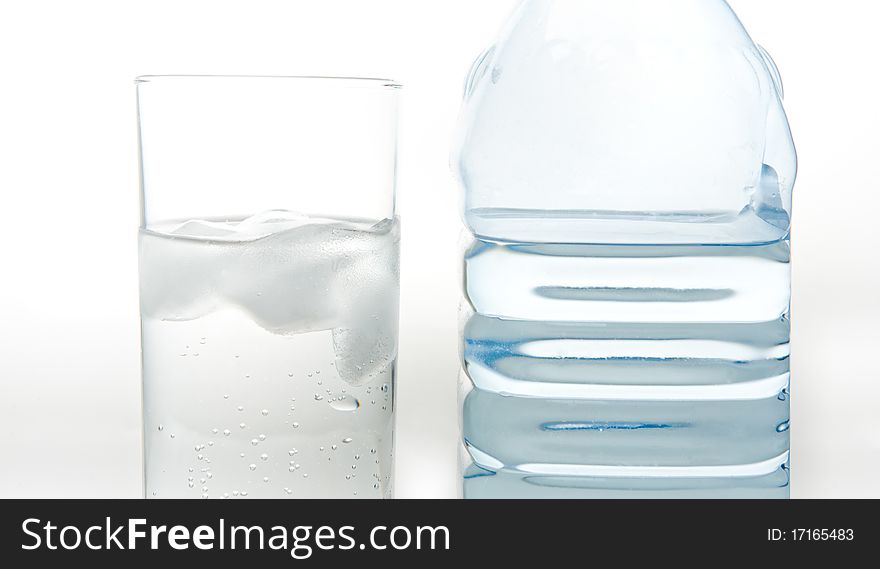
(69, 346)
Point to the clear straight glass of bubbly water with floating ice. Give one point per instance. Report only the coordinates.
(269, 286)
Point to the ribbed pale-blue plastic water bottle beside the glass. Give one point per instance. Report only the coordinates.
(627, 169)
